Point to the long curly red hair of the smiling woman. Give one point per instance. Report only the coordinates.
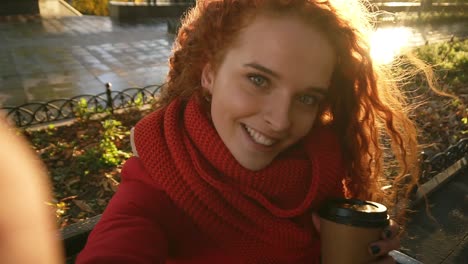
(364, 106)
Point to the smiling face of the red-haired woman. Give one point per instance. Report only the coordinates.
(266, 91)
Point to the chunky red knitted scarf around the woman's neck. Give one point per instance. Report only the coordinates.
(183, 153)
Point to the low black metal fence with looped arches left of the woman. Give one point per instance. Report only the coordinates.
(40, 113)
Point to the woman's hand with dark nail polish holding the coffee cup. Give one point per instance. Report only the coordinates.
(390, 241)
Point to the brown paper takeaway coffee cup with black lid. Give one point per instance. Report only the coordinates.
(347, 227)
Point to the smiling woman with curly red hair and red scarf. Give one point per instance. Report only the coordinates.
(271, 107)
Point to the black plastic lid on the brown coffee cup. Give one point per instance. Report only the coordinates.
(355, 212)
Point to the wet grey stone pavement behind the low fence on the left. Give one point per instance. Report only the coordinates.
(48, 58)
